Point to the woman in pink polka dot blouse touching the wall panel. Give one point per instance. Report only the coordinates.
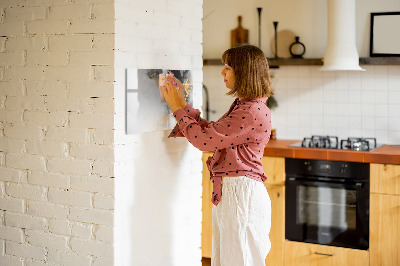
(242, 208)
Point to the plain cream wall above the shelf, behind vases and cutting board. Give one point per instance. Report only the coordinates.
(305, 18)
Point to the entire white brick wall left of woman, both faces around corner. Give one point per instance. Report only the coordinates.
(59, 78)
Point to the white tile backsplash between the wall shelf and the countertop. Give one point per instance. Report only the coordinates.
(343, 103)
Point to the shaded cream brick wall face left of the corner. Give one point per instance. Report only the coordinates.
(56, 132)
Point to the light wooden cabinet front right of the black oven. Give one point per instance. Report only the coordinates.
(384, 237)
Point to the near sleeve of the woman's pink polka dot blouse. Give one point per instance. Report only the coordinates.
(229, 131)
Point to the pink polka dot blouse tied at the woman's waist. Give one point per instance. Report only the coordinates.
(238, 139)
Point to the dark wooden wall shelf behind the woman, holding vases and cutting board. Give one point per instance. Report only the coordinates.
(274, 63)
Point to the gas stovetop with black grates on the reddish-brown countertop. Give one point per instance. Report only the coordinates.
(332, 142)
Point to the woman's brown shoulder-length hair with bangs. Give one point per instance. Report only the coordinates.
(250, 66)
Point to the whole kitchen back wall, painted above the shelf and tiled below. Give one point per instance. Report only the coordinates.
(344, 103)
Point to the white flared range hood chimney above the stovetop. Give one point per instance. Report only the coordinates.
(341, 51)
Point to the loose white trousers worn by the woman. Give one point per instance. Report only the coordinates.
(241, 223)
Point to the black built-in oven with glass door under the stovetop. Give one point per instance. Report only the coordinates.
(327, 202)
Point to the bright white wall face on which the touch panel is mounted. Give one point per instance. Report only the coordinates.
(158, 180)
